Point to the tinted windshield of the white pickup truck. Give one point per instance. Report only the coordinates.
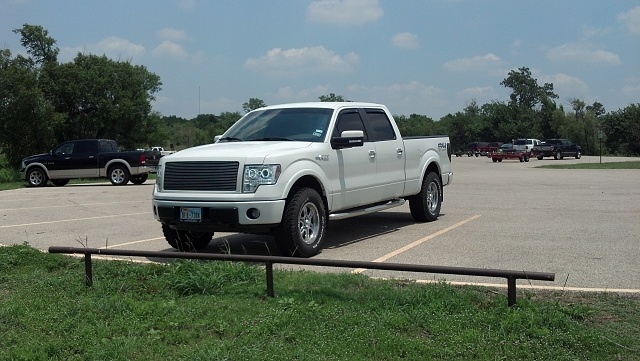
(299, 124)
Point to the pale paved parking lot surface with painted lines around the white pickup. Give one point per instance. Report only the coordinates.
(583, 225)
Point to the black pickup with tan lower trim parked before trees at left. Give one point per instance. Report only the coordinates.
(86, 158)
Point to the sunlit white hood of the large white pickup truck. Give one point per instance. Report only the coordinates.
(237, 151)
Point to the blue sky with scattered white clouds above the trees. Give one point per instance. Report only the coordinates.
(427, 57)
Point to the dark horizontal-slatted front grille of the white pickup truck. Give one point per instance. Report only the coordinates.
(201, 176)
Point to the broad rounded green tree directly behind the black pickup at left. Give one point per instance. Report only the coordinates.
(103, 98)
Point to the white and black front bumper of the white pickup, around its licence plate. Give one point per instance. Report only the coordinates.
(221, 216)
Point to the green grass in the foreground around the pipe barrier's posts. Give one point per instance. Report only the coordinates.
(189, 310)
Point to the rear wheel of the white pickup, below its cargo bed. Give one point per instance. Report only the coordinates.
(425, 206)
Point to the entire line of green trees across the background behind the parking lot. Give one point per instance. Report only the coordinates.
(44, 102)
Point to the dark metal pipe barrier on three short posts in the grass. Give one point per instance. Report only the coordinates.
(269, 261)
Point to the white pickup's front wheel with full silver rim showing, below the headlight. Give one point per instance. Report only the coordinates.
(303, 225)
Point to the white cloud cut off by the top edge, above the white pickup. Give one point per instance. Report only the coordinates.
(349, 12)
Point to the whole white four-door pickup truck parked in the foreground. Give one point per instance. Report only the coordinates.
(287, 169)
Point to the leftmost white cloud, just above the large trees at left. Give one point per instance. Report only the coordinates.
(112, 47)
